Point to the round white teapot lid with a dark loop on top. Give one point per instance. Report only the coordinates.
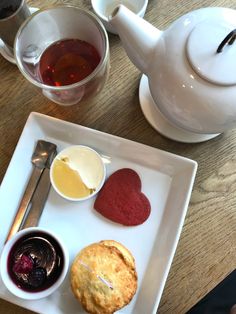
(211, 52)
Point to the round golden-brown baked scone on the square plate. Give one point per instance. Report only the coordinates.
(103, 277)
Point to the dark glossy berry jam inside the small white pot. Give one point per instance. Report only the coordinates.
(35, 262)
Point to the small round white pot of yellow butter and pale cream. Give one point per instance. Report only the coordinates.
(77, 172)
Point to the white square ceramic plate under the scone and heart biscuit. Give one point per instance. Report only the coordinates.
(167, 181)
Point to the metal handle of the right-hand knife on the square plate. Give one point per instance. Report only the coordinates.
(38, 201)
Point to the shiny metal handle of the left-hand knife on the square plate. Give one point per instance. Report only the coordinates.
(22, 209)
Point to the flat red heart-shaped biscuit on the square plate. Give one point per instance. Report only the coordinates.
(121, 199)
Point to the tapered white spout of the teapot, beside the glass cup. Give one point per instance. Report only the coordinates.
(138, 37)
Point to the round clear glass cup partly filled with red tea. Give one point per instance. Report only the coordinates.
(54, 28)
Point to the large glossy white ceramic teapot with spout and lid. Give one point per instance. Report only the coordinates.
(190, 68)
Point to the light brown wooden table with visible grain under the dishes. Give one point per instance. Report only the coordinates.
(206, 250)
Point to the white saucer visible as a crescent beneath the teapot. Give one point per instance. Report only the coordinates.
(160, 123)
